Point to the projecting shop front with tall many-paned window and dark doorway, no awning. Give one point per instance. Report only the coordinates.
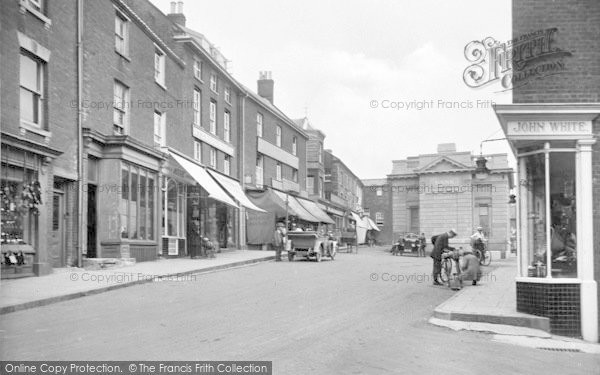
(122, 197)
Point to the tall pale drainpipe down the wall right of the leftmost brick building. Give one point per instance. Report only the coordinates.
(79, 134)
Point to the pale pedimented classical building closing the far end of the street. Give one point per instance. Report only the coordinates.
(432, 193)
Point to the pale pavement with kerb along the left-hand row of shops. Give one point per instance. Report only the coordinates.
(69, 283)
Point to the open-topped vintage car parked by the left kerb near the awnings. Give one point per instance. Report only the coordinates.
(310, 245)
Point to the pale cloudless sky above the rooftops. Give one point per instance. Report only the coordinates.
(346, 63)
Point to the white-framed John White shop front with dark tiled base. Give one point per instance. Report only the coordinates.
(553, 146)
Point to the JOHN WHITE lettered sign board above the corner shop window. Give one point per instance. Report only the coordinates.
(548, 128)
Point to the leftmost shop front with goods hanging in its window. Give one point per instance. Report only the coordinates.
(26, 205)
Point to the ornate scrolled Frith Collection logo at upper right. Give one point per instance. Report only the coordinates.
(516, 62)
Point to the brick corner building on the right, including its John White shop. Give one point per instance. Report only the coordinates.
(553, 126)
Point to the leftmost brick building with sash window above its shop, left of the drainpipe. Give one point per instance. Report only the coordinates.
(38, 125)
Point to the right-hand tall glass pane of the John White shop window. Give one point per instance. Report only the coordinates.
(563, 211)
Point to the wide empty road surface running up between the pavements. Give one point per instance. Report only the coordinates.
(362, 313)
